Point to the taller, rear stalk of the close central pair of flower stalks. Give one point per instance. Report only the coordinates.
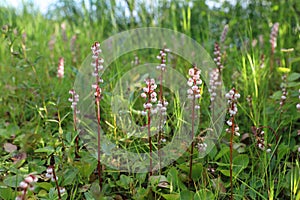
(162, 103)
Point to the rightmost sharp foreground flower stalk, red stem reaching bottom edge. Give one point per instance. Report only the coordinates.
(233, 129)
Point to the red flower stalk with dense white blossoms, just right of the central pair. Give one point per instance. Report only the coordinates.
(194, 93)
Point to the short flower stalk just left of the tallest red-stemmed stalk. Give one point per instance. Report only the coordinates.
(74, 100)
